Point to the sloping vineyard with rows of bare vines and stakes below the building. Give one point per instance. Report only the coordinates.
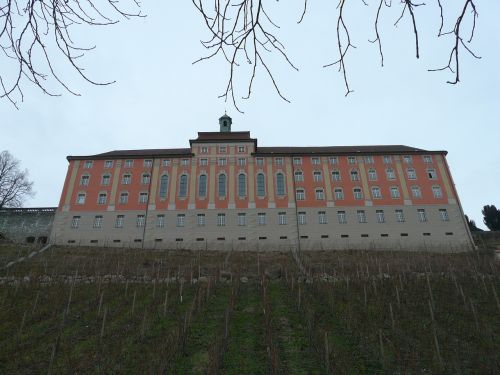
(90, 310)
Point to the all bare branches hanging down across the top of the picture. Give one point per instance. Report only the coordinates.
(34, 34)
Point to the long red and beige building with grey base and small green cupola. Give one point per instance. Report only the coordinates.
(225, 192)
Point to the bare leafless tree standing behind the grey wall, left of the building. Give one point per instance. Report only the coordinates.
(15, 186)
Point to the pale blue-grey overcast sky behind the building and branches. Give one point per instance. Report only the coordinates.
(161, 100)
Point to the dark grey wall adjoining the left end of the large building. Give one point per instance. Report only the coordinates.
(26, 225)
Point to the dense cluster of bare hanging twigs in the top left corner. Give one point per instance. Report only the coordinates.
(36, 35)
